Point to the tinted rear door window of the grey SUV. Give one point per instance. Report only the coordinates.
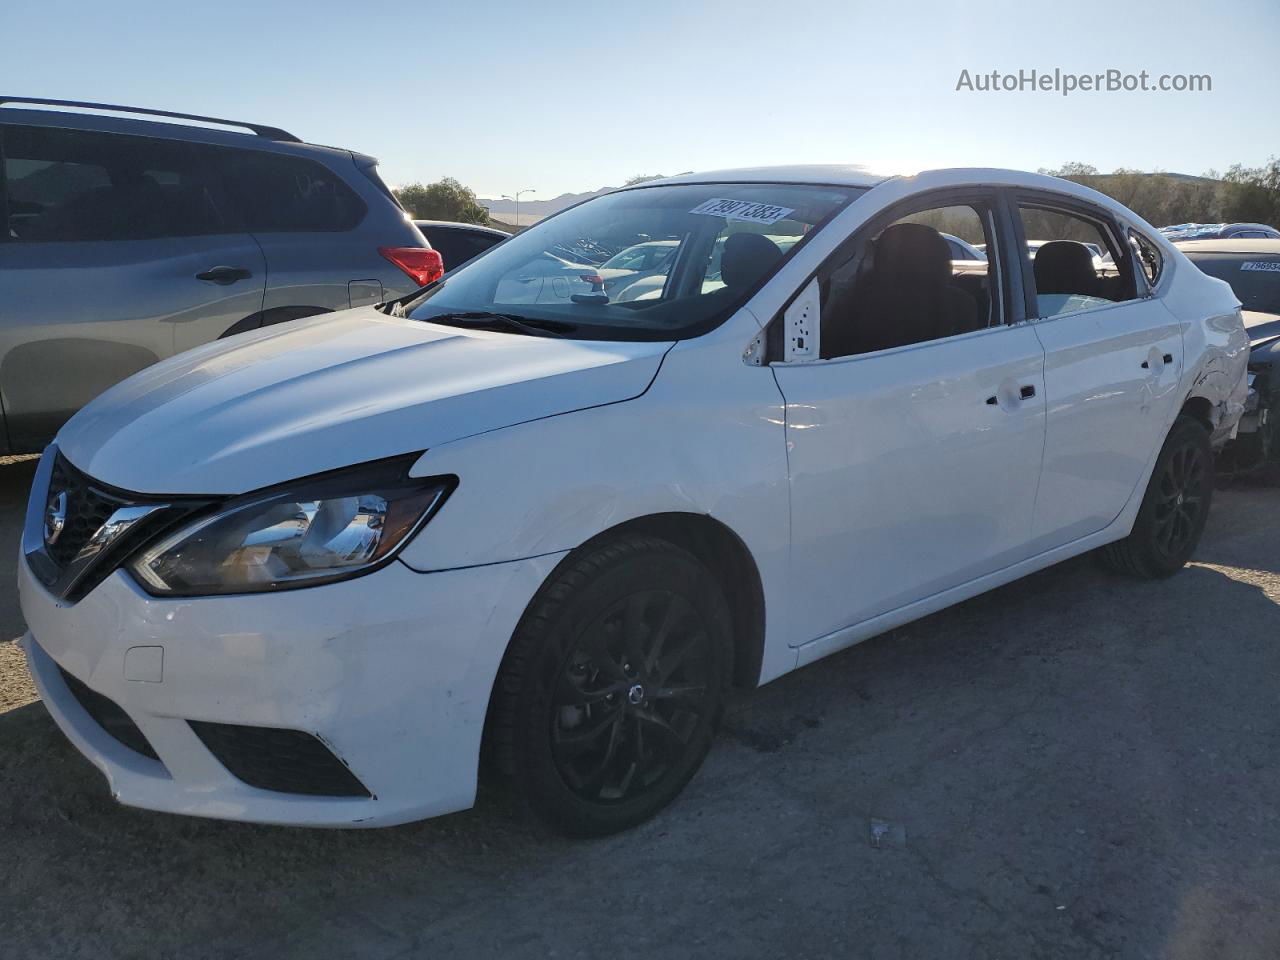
(77, 186)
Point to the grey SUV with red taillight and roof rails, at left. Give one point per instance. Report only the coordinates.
(129, 239)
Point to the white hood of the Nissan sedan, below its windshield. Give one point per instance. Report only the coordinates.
(332, 391)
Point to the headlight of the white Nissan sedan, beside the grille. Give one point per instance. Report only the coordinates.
(317, 531)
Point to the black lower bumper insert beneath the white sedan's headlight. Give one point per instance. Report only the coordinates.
(285, 761)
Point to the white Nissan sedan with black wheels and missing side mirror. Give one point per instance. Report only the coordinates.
(316, 574)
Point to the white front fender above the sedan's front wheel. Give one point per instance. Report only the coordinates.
(708, 437)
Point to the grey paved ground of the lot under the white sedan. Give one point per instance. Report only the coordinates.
(1073, 766)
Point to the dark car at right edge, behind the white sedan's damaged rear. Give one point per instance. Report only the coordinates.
(1252, 267)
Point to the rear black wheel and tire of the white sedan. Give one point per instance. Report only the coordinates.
(1174, 509)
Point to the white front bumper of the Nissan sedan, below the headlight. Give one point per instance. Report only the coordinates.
(391, 671)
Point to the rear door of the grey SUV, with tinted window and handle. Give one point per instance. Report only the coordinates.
(116, 248)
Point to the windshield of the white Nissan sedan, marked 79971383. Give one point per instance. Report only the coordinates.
(657, 263)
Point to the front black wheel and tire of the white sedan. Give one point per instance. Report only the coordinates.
(589, 740)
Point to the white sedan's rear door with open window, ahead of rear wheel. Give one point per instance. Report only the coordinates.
(1113, 363)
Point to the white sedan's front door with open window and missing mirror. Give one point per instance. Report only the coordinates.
(915, 465)
